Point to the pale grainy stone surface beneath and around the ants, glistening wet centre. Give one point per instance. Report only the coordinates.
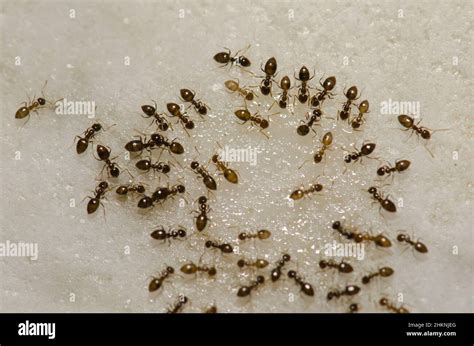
(408, 58)
